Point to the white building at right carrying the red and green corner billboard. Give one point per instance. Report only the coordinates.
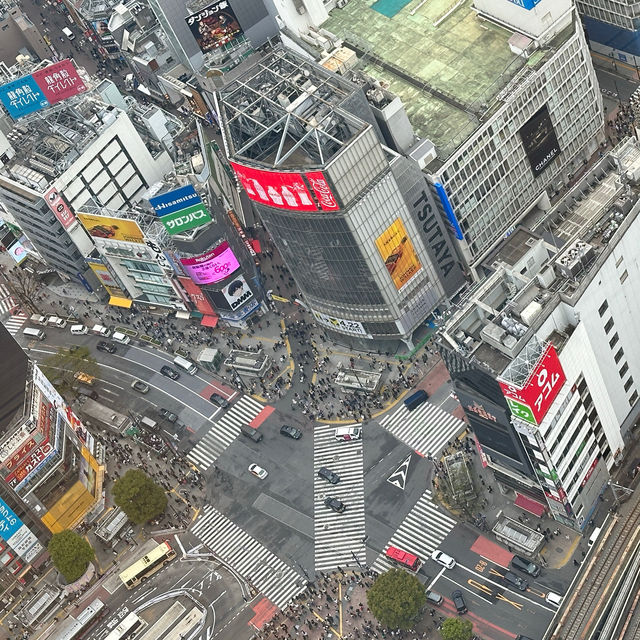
(544, 351)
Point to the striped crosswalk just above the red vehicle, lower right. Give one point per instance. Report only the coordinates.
(422, 531)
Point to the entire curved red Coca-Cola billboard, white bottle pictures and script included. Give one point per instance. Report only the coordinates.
(284, 190)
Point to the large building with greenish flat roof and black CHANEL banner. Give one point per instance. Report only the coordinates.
(505, 91)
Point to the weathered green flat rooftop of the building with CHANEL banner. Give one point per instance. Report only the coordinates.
(446, 63)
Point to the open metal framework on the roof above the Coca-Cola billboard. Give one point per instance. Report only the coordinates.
(285, 105)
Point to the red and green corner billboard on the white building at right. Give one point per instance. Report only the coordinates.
(531, 401)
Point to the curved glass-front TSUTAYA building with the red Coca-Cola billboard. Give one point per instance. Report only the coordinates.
(355, 222)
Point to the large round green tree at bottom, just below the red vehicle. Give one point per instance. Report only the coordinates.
(396, 598)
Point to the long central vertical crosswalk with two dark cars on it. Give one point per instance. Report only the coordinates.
(338, 536)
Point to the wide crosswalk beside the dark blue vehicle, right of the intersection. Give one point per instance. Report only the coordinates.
(426, 429)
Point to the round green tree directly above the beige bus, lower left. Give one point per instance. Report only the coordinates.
(139, 496)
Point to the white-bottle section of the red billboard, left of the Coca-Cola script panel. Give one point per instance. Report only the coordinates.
(275, 188)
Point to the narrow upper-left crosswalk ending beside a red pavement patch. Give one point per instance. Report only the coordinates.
(224, 431)
